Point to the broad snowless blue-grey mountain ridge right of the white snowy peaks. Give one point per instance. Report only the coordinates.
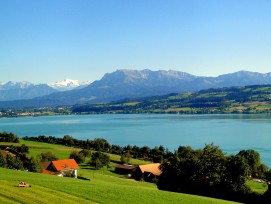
(126, 83)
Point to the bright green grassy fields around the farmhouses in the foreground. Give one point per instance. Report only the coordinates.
(104, 185)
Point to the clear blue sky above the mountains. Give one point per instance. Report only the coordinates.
(45, 41)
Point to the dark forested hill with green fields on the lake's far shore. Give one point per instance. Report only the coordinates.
(245, 99)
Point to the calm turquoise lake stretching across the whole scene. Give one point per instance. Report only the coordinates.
(231, 132)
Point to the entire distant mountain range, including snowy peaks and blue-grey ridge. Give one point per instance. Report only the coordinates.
(119, 85)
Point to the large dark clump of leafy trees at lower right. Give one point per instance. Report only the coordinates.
(209, 172)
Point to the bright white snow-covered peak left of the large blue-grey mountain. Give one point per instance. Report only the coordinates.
(68, 84)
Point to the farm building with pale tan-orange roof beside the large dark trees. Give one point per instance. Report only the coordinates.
(148, 172)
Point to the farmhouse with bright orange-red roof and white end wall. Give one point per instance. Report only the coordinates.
(66, 167)
